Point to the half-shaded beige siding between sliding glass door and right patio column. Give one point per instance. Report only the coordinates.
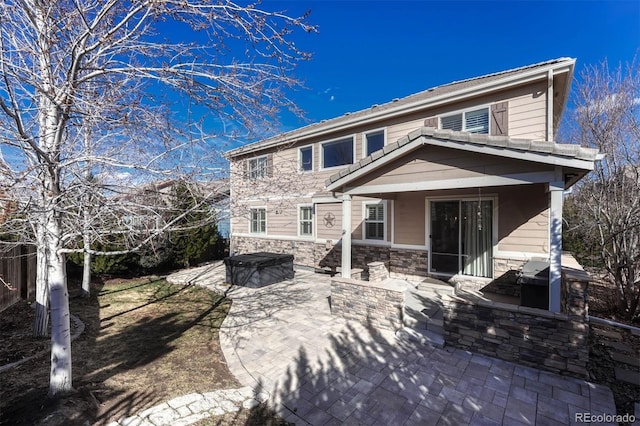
(523, 219)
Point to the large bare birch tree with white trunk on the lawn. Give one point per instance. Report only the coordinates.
(74, 66)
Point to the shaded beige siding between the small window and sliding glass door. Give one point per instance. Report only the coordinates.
(409, 218)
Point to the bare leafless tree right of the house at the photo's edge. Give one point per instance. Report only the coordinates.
(606, 205)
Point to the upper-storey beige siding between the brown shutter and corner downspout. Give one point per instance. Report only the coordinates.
(528, 115)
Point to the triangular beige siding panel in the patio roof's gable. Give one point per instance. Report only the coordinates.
(432, 163)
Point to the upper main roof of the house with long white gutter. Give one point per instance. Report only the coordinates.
(426, 99)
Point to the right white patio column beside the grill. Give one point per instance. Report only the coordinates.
(555, 245)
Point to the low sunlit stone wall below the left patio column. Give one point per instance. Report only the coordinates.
(374, 304)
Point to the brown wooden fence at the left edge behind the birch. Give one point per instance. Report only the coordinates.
(18, 274)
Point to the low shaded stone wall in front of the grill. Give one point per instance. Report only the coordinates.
(557, 342)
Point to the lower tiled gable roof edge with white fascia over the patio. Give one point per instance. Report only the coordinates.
(544, 152)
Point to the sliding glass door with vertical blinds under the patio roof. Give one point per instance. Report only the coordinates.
(462, 237)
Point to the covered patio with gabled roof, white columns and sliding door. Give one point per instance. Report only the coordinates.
(450, 195)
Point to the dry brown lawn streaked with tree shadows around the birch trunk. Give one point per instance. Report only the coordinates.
(126, 361)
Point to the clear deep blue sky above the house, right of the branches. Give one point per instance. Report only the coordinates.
(369, 52)
